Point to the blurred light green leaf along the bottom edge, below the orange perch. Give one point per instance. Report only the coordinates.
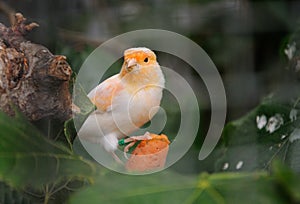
(168, 187)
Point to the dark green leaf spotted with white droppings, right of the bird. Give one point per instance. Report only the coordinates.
(246, 147)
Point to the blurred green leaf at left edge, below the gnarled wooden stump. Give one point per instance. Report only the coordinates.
(28, 158)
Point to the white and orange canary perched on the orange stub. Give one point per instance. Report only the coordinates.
(126, 101)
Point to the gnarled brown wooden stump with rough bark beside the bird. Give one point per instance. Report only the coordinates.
(31, 77)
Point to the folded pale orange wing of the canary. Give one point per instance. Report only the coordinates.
(102, 95)
